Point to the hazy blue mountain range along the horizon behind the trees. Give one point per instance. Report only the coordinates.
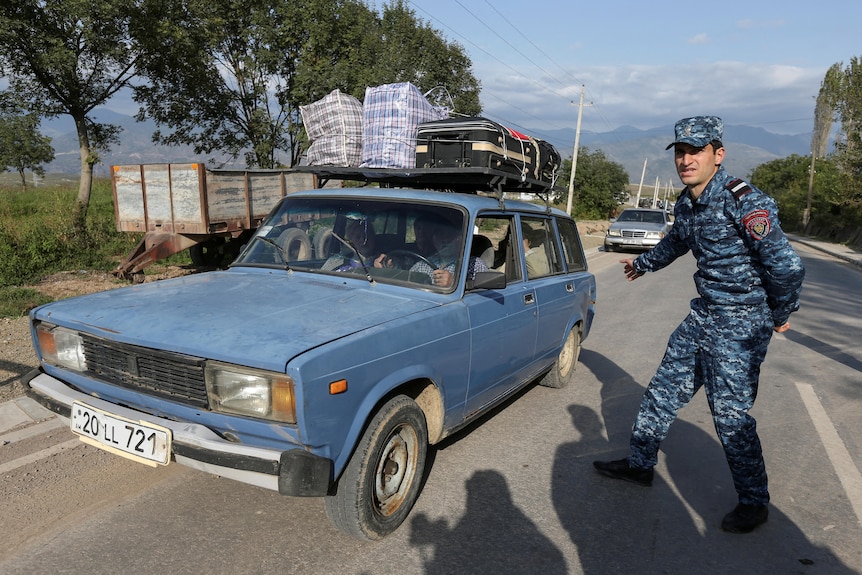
(747, 147)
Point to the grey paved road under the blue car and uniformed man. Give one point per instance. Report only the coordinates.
(516, 493)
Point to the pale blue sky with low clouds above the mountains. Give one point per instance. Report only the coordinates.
(646, 64)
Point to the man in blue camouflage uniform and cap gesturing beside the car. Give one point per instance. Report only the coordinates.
(749, 279)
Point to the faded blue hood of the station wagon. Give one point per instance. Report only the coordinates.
(258, 318)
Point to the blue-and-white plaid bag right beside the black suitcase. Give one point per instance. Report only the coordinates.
(391, 115)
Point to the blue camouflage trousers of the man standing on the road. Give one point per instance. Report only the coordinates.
(719, 348)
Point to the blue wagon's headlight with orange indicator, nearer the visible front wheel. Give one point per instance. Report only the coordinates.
(251, 392)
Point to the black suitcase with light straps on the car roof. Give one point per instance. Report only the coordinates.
(480, 142)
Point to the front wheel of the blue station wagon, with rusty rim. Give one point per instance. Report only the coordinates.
(381, 482)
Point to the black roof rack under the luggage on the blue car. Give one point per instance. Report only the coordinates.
(461, 180)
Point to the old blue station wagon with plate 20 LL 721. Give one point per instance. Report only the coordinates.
(356, 328)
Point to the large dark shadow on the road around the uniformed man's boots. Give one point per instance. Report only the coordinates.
(673, 526)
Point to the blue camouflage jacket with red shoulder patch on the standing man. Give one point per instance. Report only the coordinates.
(743, 256)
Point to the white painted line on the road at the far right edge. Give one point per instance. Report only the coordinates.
(837, 452)
